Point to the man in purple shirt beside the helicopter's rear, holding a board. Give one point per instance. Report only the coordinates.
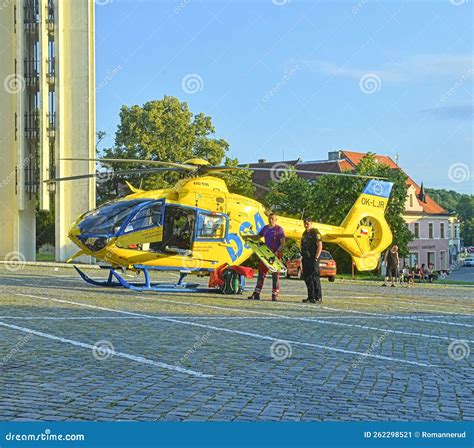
(274, 237)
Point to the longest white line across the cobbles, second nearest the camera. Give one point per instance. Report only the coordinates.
(242, 333)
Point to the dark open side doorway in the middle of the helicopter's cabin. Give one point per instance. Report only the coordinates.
(179, 223)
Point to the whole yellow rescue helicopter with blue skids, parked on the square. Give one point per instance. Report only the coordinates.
(198, 226)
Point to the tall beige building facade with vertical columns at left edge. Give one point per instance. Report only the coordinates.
(47, 109)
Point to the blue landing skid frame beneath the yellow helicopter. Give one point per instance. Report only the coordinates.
(116, 280)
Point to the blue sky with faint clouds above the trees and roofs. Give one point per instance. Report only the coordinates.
(288, 79)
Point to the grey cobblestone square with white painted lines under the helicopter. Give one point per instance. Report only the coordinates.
(69, 351)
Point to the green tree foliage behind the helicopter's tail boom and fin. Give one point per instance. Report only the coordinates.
(330, 198)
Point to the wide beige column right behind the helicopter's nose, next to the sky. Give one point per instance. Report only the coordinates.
(75, 112)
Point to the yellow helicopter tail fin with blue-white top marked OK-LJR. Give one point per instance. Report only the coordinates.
(366, 232)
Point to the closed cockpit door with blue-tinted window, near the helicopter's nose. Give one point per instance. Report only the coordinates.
(143, 229)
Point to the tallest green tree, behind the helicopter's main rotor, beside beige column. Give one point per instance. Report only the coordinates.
(166, 130)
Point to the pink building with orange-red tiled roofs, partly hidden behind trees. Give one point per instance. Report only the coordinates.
(424, 216)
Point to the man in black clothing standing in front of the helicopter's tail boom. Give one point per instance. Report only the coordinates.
(311, 247)
